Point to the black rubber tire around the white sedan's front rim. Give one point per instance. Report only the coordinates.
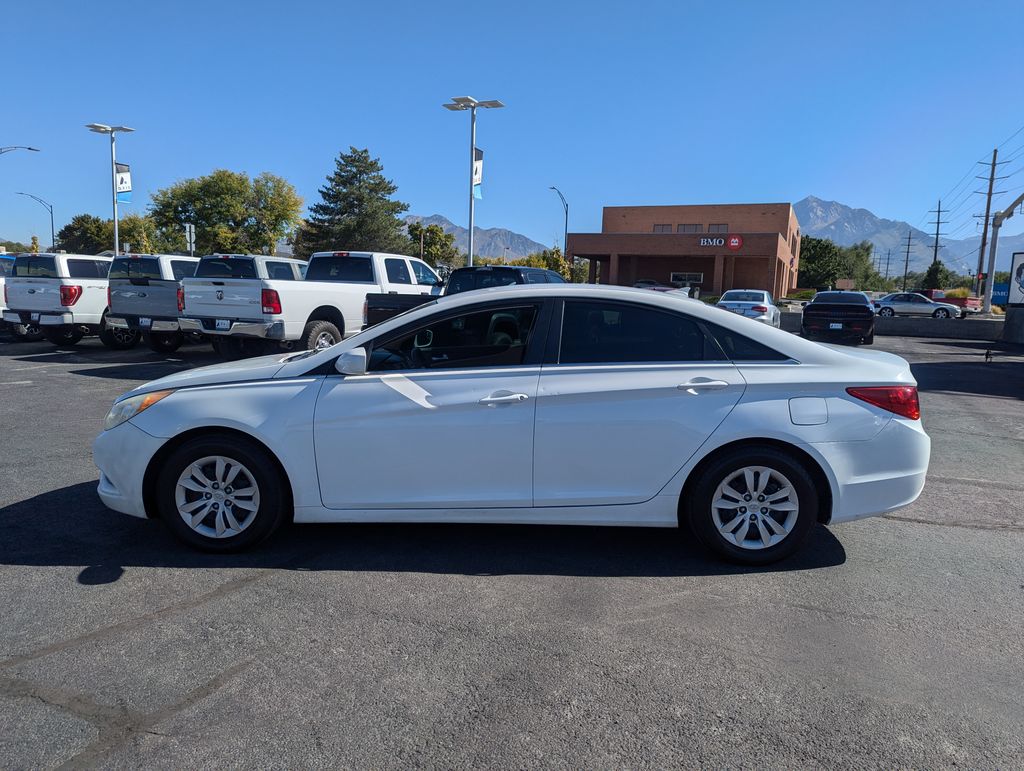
(273, 490)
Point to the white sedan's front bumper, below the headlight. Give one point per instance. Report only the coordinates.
(122, 455)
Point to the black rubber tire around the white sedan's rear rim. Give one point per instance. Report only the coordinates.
(701, 517)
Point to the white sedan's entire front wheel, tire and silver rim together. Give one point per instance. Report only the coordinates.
(222, 494)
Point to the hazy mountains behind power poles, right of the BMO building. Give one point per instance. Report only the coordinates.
(846, 226)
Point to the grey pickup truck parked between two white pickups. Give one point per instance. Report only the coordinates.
(146, 296)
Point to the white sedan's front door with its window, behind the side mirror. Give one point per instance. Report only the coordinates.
(444, 418)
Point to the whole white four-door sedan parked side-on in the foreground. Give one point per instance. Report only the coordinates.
(547, 405)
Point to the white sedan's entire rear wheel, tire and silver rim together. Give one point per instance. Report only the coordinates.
(753, 506)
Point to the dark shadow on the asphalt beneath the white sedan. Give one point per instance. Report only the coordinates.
(72, 528)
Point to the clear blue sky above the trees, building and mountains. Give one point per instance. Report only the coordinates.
(882, 106)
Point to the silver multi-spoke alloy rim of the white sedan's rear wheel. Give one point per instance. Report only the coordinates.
(755, 507)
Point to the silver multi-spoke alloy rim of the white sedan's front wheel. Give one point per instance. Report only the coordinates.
(218, 497)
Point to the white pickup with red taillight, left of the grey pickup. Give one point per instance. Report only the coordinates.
(66, 295)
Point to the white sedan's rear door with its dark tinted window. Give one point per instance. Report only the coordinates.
(631, 396)
